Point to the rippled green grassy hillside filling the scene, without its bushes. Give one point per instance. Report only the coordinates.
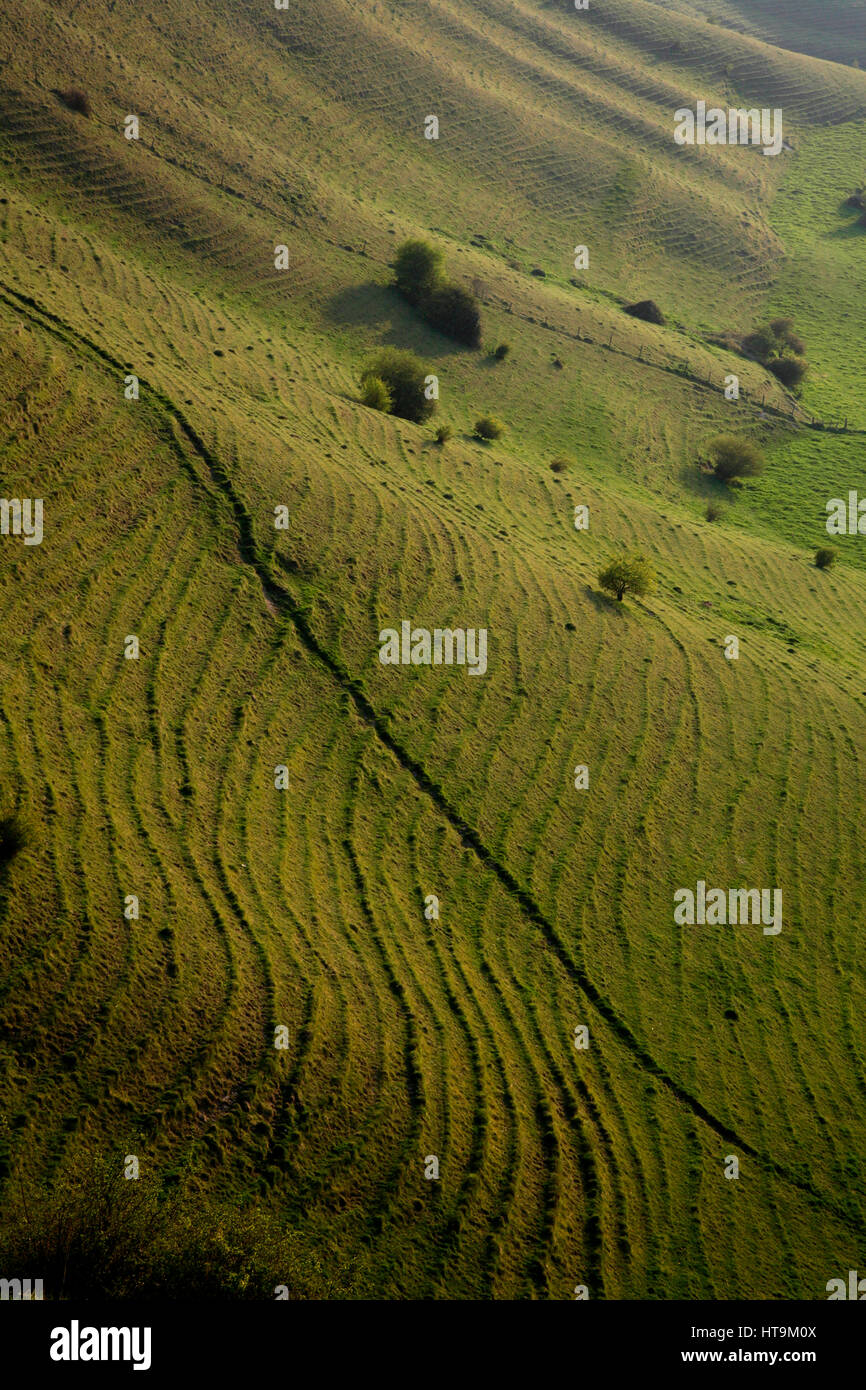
(259, 648)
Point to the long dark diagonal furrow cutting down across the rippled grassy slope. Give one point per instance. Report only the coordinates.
(287, 605)
